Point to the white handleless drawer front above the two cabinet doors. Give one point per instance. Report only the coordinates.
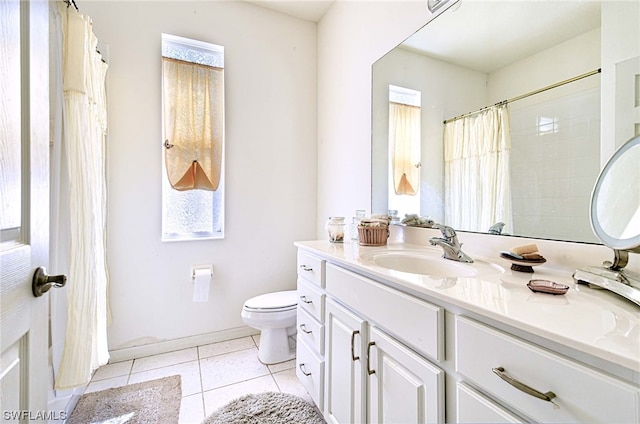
(413, 321)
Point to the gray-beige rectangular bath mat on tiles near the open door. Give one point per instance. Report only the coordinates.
(149, 402)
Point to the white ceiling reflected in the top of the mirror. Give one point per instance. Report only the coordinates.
(487, 35)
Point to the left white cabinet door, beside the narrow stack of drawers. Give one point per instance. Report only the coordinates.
(345, 334)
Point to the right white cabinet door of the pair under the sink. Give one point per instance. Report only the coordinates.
(404, 387)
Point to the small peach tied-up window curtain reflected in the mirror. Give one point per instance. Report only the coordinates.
(404, 142)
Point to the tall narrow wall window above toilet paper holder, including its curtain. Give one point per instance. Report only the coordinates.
(193, 130)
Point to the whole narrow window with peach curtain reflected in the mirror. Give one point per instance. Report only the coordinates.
(405, 114)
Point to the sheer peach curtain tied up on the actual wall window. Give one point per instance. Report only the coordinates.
(193, 124)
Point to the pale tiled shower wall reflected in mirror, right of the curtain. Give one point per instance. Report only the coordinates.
(555, 159)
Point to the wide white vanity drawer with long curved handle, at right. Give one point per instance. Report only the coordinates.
(581, 394)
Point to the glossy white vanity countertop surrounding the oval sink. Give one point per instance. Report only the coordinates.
(592, 321)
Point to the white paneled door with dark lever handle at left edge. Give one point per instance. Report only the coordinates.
(24, 208)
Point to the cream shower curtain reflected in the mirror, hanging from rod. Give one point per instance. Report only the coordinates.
(477, 181)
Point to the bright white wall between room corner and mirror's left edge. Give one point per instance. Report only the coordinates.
(351, 37)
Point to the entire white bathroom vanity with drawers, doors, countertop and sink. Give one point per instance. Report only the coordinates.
(380, 340)
